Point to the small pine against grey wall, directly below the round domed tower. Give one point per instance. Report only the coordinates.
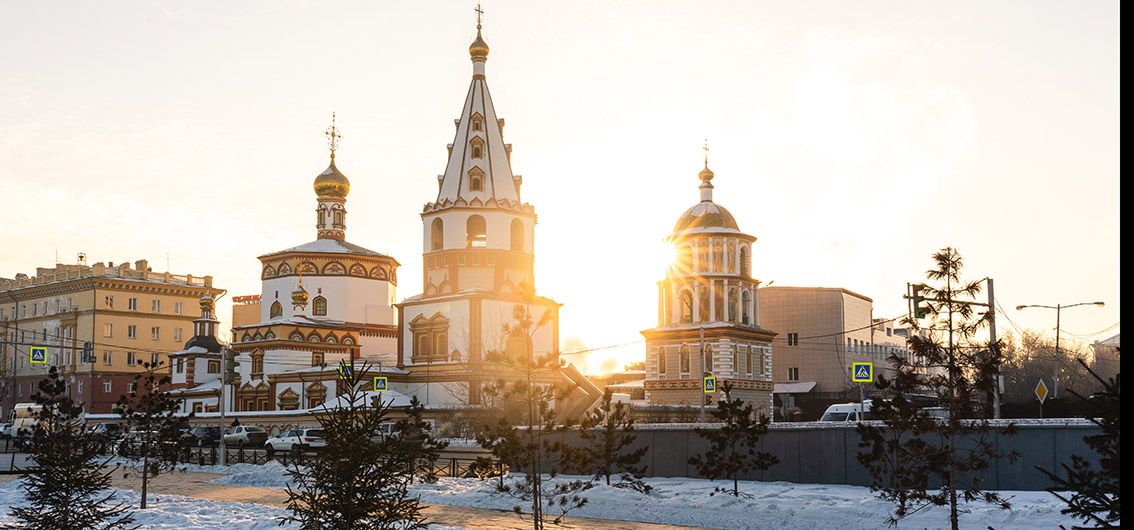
(733, 448)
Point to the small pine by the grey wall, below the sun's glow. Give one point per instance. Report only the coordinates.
(607, 434)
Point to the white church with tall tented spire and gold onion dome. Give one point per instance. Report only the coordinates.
(332, 301)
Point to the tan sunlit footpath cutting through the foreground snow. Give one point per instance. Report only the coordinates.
(197, 485)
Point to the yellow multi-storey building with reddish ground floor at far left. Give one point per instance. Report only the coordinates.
(129, 314)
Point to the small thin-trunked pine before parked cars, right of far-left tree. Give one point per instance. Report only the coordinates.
(154, 418)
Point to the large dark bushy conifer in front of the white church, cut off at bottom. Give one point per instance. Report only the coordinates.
(361, 479)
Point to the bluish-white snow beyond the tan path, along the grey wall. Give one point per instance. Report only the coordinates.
(681, 501)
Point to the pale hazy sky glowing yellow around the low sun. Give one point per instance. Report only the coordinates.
(852, 139)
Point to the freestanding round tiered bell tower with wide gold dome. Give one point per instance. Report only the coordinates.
(709, 318)
